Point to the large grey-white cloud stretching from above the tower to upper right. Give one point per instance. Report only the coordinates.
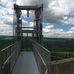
(54, 10)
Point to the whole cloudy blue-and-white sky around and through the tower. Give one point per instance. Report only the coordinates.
(58, 17)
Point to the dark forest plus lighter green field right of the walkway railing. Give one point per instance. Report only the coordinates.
(60, 48)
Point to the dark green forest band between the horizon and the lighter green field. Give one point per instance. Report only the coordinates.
(59, 45)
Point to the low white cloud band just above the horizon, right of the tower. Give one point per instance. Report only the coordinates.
(59, 33)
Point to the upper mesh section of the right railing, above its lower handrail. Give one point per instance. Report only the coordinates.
(42, 51)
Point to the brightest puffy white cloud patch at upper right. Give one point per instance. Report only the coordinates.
(59, 7)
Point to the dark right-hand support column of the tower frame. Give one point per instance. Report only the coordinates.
(38, 17)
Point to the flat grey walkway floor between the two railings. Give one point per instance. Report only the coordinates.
(26, 64)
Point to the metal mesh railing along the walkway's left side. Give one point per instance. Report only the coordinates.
(8, 57)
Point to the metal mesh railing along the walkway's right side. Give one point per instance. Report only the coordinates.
(42, 56)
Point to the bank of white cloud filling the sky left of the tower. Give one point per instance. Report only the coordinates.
(6, 17)
